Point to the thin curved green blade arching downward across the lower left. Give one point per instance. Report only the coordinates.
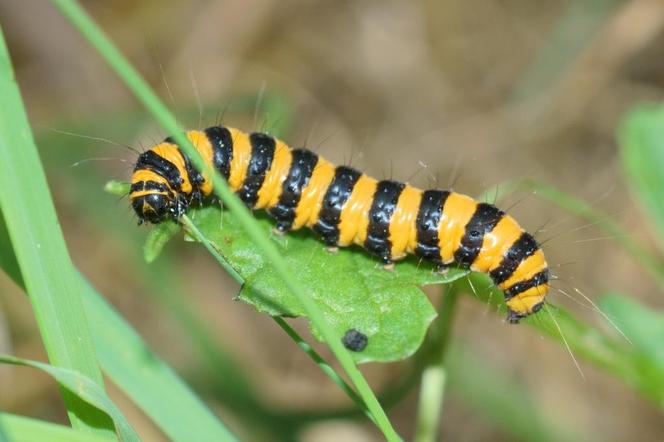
(83, 387)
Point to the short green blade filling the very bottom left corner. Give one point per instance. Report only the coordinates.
(24, 429)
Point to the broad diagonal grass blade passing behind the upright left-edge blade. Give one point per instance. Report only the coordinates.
(131, 364)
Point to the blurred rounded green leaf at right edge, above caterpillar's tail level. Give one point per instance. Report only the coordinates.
(641, 138)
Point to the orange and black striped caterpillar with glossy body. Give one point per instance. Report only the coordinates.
(389, 219)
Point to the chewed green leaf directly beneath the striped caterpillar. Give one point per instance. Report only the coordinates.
(351, 287)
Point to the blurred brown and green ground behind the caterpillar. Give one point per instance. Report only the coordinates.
(441, 93)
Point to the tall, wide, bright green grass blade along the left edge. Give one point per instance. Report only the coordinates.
(41, 252)
